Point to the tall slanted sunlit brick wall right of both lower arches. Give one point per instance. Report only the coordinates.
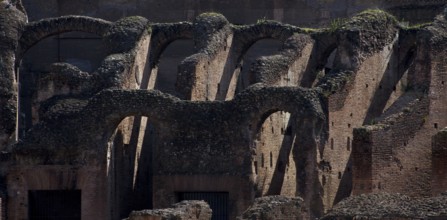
(349, 106)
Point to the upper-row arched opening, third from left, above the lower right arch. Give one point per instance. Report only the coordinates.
(263, 47)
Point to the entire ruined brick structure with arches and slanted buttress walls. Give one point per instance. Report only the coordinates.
(268, 137)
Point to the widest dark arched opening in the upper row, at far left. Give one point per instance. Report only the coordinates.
(35, 66)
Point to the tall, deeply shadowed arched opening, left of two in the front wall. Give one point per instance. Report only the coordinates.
(129, 166)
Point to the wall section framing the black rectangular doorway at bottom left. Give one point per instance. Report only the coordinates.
(22, 179)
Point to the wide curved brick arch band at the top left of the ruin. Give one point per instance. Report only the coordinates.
(39, 30)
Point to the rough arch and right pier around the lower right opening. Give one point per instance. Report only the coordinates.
(304, 104)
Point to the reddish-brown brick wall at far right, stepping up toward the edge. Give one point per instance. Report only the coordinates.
(405, 129)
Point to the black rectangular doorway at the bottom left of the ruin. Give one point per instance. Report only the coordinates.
(54, 204)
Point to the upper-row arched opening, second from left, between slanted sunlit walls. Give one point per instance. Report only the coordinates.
(167, 68)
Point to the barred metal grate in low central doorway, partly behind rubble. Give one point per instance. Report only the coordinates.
(218, 202)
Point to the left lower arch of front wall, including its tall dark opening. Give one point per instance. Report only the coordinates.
(124, 154)
